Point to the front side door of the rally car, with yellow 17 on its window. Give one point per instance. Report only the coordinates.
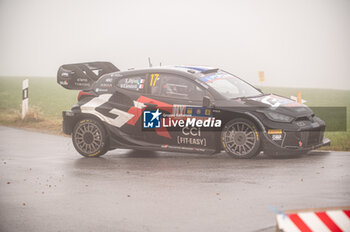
(177, 98)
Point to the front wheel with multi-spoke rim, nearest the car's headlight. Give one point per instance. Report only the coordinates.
(240, 138)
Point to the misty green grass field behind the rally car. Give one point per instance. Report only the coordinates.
(49, 99)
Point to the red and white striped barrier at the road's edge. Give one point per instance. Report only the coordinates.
(323, 219)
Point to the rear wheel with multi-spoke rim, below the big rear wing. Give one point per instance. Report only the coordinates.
(90, 138)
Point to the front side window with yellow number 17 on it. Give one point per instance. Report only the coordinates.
(169, 85)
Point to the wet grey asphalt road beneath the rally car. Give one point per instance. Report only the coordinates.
(46, 186)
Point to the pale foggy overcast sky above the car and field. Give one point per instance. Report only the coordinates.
(299, 43)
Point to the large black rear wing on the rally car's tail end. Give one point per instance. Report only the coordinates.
(81, 76)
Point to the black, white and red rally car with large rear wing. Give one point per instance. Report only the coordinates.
(182, 109)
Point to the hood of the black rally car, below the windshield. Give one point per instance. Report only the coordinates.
(268, 102)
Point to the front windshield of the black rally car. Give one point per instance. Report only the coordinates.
(229, 85)
